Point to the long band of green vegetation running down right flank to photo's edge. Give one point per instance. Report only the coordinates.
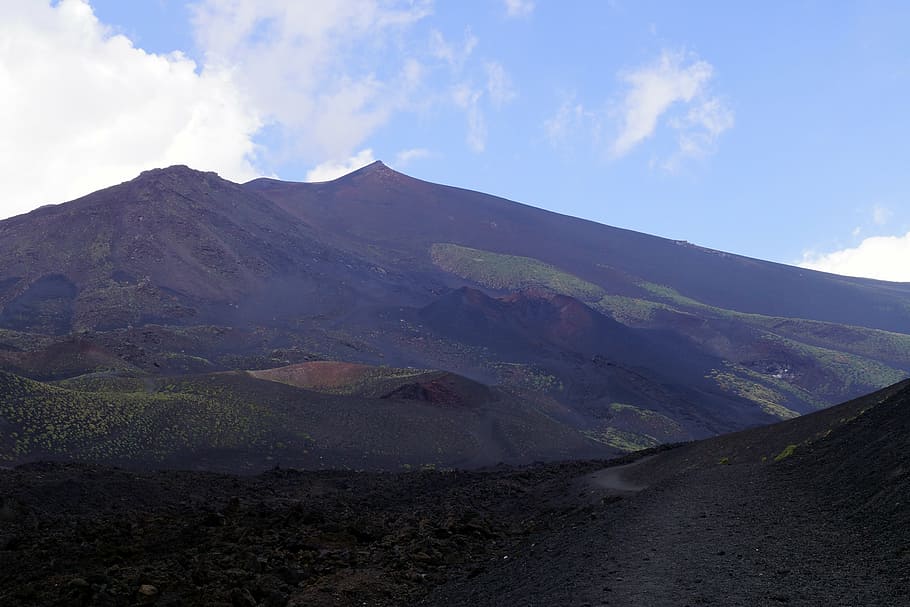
(851, 356)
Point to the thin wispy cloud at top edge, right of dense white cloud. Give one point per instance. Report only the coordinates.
(327, 73)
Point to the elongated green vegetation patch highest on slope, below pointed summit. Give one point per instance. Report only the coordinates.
(500, 271)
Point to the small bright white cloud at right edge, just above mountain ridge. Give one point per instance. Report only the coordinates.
(881, 257)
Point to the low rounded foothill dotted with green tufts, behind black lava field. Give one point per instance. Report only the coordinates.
(236, 422)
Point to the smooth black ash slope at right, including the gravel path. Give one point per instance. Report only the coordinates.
(746, 519)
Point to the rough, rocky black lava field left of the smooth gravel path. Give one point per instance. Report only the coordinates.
(78, 535)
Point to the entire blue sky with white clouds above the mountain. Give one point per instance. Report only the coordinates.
(778, 131)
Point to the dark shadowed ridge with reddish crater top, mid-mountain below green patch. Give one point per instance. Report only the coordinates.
(603, 362)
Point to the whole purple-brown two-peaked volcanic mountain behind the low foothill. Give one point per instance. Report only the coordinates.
(621, 339)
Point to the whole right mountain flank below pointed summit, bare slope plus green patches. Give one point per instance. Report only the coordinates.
(788, 339)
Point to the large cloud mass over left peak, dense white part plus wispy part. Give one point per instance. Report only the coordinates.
(275, 84)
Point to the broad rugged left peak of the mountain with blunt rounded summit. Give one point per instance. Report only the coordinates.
(173, 246)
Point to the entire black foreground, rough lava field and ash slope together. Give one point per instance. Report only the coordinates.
(823, 525)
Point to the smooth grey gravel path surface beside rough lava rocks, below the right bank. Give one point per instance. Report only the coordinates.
(730, 535)
